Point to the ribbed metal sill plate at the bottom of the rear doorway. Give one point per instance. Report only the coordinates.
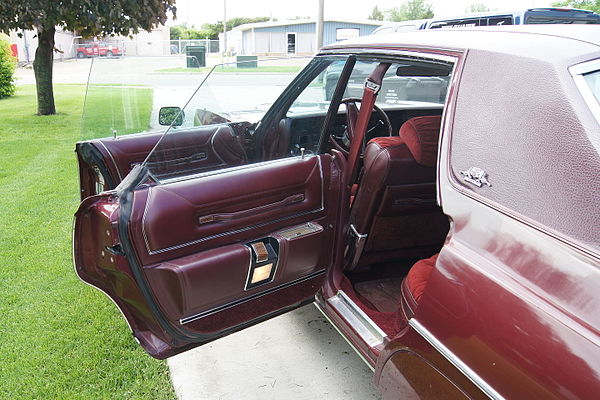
(364, 326)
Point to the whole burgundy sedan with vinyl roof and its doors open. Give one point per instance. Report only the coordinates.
(445, 220)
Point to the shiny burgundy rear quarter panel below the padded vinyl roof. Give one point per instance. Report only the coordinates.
(510, 300)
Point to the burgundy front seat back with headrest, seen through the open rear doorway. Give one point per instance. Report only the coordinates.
(394, 213)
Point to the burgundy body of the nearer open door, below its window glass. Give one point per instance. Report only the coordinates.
(189, 282)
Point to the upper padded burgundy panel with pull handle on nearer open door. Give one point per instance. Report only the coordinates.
(230, 206)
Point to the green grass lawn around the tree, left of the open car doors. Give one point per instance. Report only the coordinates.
(59, 338)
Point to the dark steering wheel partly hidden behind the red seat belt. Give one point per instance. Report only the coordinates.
(342, 142)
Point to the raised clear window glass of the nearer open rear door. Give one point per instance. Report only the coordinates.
(224, 124)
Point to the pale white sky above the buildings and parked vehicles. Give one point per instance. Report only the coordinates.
(197, 12)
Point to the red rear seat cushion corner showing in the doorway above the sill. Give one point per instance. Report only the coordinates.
(414, 285)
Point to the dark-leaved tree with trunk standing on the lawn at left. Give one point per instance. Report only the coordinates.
(88, 18)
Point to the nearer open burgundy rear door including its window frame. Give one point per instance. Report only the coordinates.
(190, 255)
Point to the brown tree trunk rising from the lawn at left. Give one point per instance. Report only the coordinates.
(42, 68)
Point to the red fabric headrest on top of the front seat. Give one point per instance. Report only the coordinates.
(420, 134)
